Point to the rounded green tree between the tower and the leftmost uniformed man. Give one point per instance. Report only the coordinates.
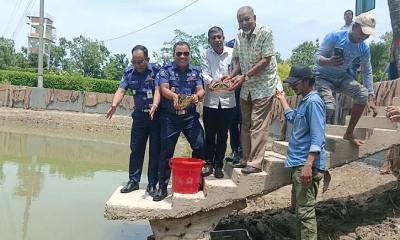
(88, 56)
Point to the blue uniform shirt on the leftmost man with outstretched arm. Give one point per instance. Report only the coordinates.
(141, 84)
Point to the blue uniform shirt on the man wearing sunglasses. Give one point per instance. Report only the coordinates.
(180, 82)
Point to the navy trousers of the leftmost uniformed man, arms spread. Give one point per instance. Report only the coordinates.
(142, 129)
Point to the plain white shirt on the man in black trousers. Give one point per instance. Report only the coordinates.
(215, 66)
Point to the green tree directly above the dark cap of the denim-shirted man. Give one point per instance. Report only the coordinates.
(304, 53)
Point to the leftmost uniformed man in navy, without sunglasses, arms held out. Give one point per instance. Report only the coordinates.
(140, 78)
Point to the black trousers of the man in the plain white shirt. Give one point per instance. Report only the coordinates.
(216, 124)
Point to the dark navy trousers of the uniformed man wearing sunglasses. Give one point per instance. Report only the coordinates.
(171, 127)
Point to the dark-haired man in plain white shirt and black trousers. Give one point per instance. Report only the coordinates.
(218, 107)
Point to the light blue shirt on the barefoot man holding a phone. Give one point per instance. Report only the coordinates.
(351, 52)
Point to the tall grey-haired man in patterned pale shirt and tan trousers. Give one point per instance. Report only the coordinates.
(254, 57)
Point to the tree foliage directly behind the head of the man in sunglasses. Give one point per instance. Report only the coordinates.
(197, 45)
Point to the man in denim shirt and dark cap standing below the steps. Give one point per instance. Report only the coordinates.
(306, 152)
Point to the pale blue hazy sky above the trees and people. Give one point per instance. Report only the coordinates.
(292, 21)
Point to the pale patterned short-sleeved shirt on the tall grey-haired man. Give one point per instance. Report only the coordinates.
(250, 52)
